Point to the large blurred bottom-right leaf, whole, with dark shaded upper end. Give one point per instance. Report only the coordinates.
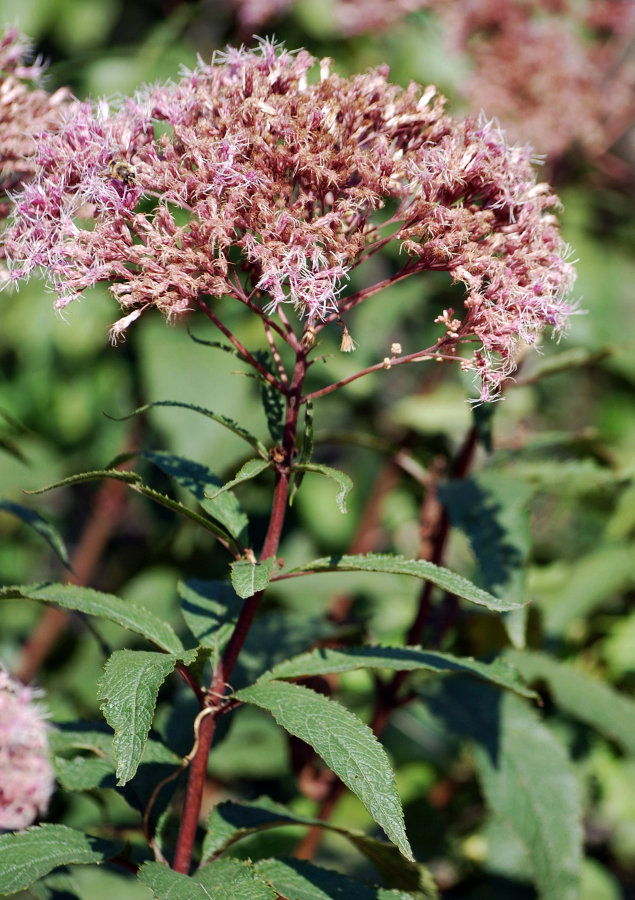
(527, 779)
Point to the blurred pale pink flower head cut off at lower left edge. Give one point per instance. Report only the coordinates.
(26, 774)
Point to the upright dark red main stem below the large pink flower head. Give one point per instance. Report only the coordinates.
(220, 678)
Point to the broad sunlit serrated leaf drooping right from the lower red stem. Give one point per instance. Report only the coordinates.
(346, 744)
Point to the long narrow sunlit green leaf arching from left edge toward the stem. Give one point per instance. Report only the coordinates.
(126, 613)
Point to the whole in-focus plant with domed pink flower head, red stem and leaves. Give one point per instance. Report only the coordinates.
(264, 180)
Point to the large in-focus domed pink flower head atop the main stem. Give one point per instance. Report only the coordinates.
(257, 178)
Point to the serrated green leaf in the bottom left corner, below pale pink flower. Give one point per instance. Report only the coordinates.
(28, 855)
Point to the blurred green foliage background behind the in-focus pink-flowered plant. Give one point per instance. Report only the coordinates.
(558, 484)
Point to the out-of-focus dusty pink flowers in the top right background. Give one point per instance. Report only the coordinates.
(556, 72)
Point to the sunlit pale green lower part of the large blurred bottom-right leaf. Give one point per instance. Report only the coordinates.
(532, 786)
